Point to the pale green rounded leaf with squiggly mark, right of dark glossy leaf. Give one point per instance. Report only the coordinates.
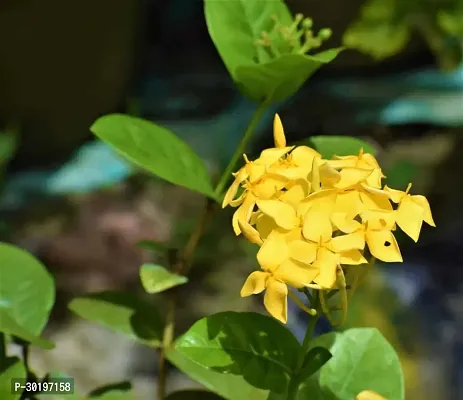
(362, 359)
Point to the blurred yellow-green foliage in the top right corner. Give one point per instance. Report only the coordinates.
(384, 28)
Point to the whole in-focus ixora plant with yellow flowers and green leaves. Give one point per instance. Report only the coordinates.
(319, 215)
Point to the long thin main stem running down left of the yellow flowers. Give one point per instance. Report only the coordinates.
(184, 260)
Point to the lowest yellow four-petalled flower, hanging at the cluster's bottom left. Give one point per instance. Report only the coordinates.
(278, 271)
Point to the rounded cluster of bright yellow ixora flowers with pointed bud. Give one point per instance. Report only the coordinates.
(311, 217)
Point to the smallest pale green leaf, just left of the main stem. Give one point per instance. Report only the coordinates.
(156, 279)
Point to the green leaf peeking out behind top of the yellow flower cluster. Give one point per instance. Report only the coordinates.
(328, 146)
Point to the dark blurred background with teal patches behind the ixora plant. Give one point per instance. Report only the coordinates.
(77, 206)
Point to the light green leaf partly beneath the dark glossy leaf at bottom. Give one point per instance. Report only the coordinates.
(231, 387)
